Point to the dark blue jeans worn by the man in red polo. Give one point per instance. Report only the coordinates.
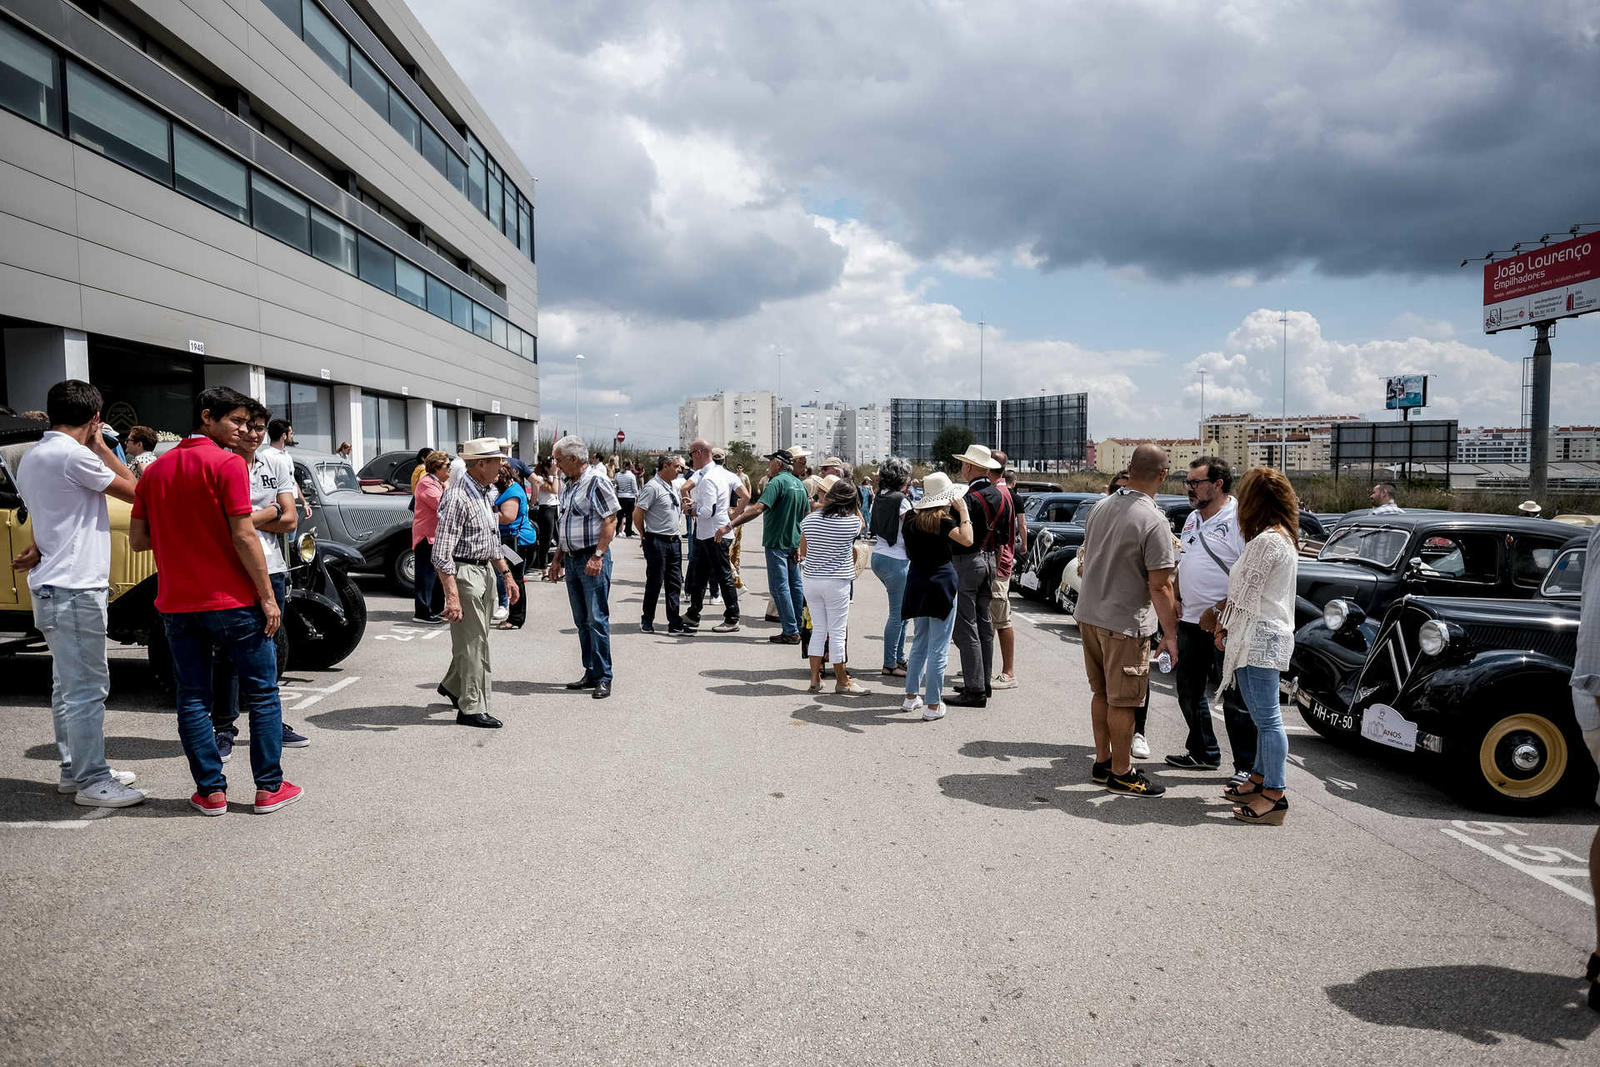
(239, 634)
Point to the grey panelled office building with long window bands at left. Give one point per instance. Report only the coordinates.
(294, 198)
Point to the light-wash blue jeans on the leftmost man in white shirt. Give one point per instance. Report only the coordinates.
(74, 628)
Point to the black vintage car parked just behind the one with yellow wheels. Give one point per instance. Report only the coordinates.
(1372, 561)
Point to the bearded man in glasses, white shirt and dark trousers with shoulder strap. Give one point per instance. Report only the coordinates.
(1212, 543)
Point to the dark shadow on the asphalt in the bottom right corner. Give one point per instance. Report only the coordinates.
(1478, 1002)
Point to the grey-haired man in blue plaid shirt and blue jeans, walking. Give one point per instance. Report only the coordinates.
(585, 532)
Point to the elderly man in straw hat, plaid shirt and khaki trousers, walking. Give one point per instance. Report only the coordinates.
(468, 551)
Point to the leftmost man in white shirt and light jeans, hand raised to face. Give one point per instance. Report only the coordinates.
(65, 482)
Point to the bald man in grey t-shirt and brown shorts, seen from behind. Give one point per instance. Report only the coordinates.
(1129, 564)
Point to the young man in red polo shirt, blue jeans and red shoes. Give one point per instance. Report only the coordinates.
(193, 508)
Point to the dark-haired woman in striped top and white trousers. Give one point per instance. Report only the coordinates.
(828, 567)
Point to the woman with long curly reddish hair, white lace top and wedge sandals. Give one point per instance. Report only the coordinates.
(1257, 631)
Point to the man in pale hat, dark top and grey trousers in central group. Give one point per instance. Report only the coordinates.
(975, 569)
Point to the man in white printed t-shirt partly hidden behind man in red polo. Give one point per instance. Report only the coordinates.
(273, 498)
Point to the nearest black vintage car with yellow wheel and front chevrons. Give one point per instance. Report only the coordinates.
(1479, 685)
